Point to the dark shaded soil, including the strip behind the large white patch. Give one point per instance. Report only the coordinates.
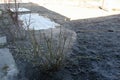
(96, 53)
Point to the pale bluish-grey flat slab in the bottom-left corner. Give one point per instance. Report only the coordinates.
(8, 69)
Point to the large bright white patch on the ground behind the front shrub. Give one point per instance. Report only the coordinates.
(36, 22)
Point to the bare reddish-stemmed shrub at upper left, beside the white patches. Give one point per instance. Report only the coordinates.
(16, 30)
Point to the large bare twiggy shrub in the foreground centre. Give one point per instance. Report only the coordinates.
(51, 48)
